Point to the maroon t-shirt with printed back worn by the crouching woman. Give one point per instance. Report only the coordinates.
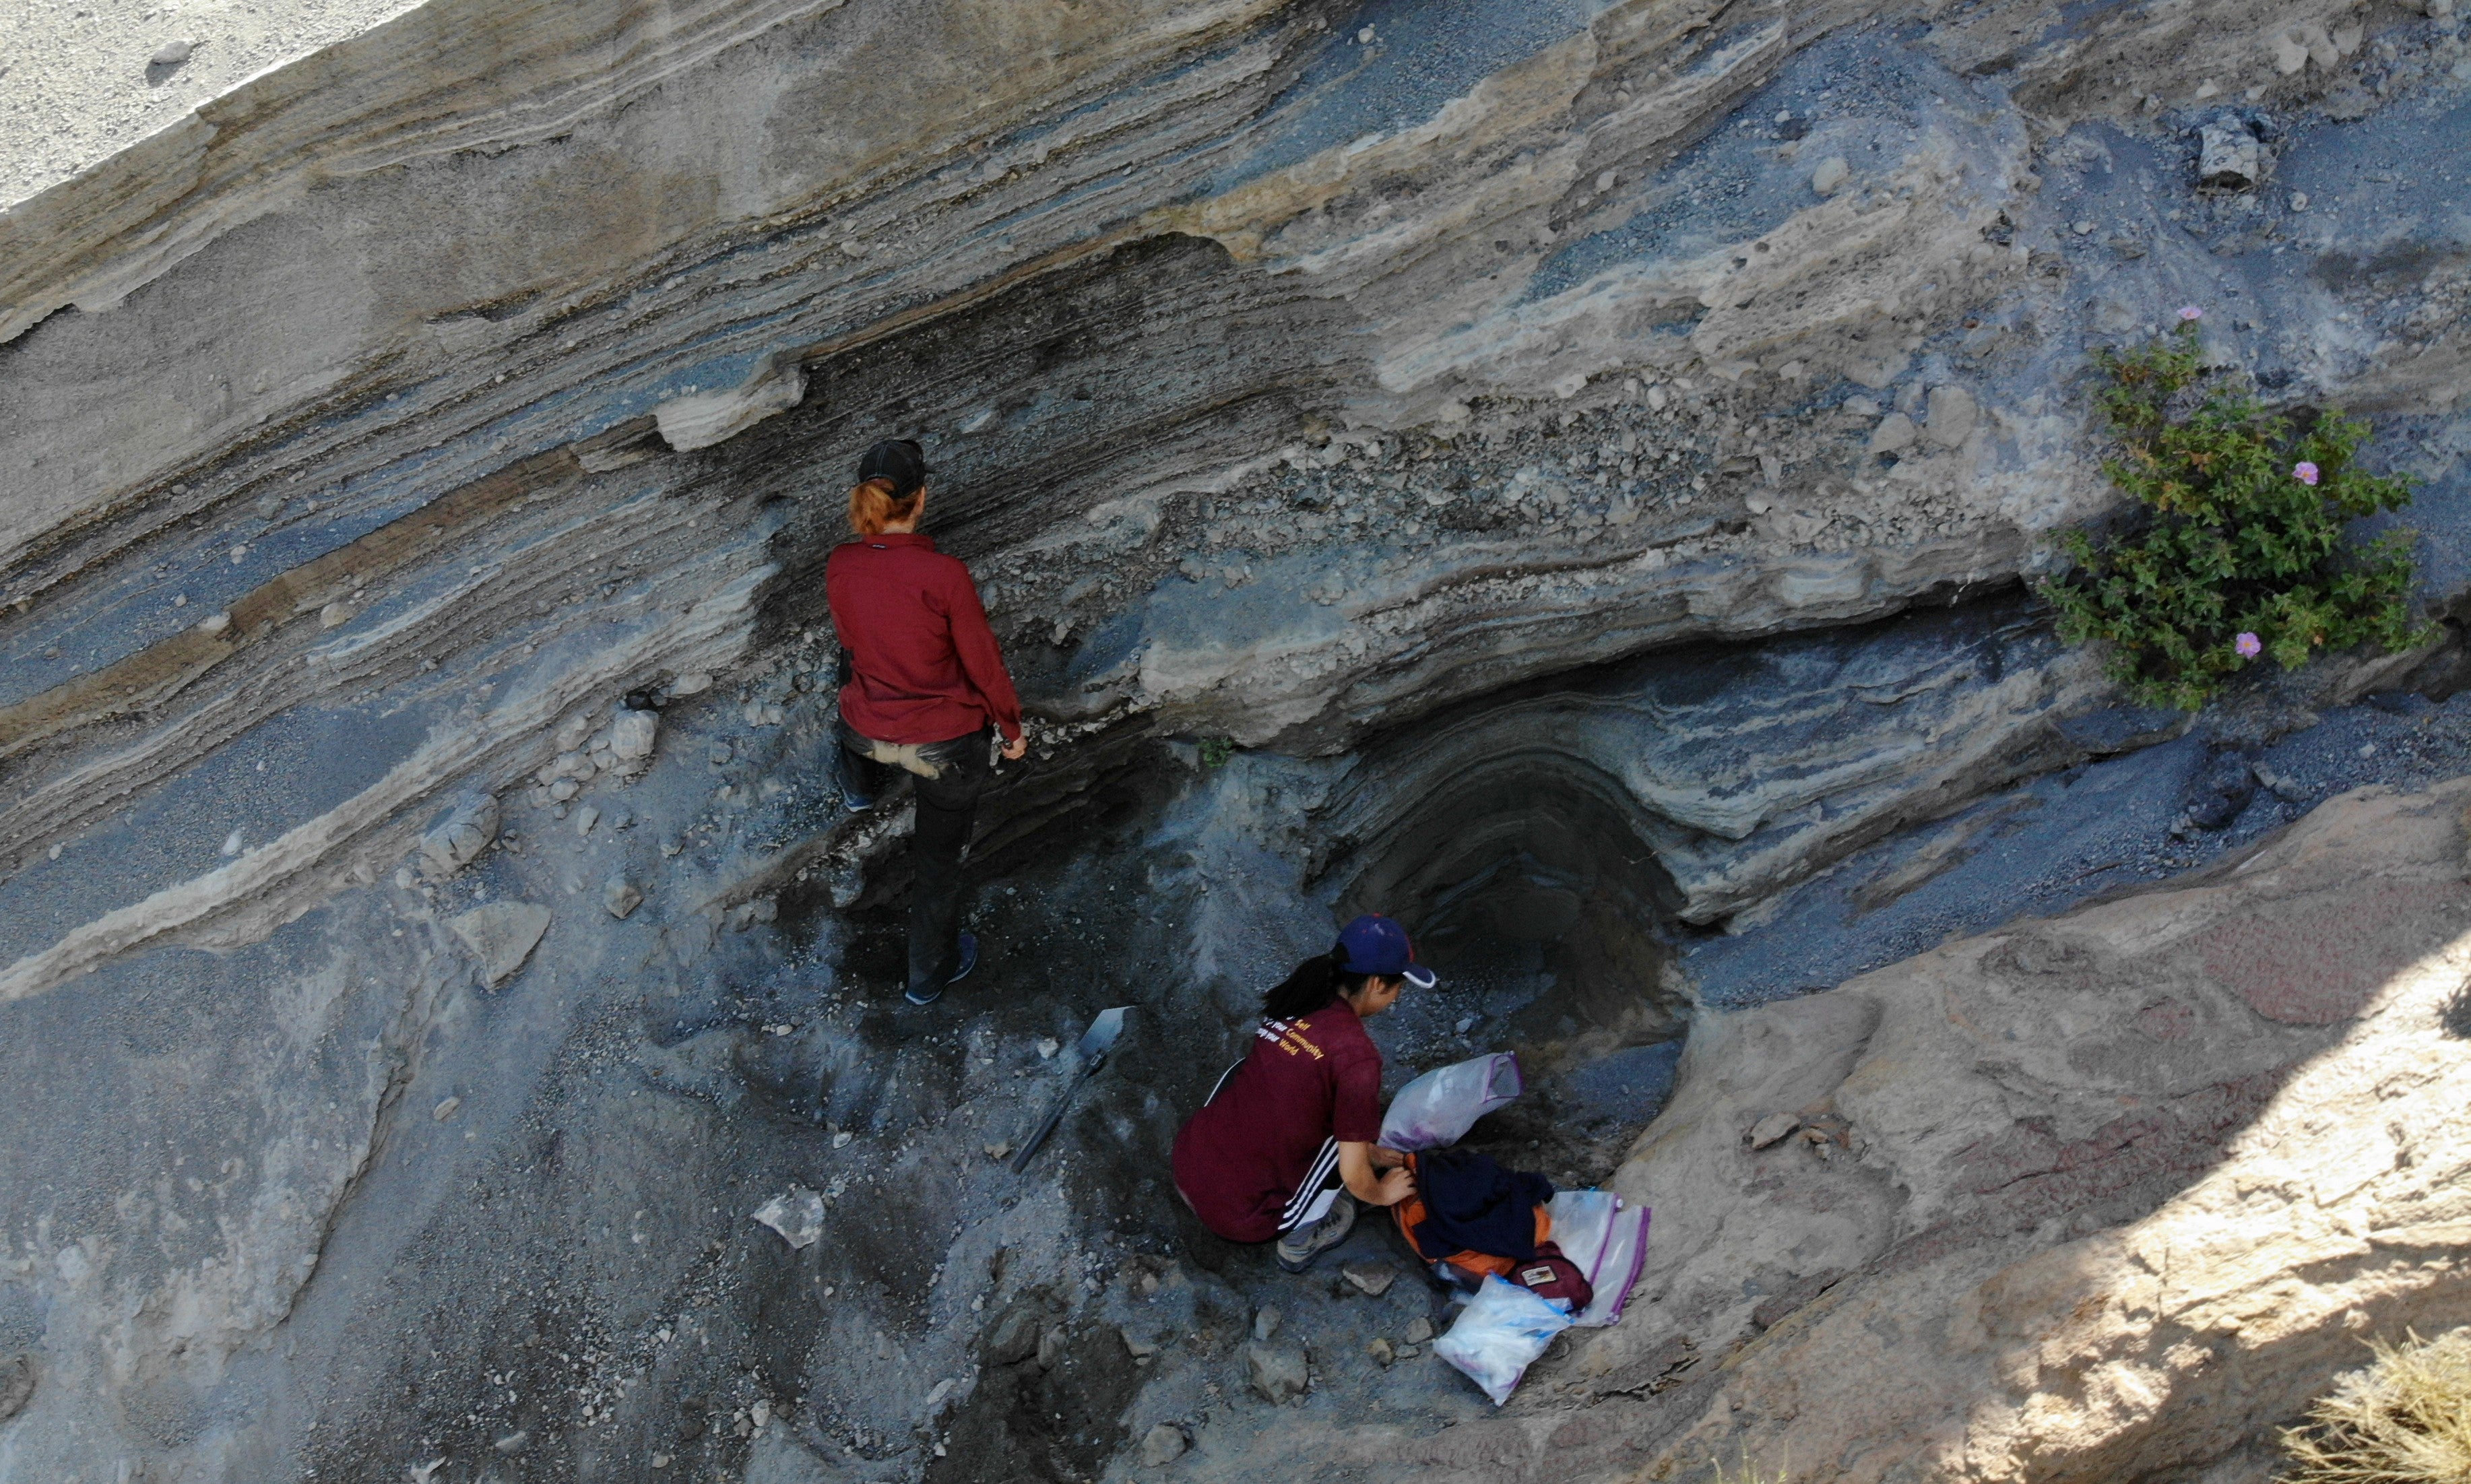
(1303, 1083)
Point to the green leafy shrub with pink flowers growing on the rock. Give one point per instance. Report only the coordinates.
(2240, 549)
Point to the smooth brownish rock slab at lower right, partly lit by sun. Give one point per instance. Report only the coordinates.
(2109, 1194)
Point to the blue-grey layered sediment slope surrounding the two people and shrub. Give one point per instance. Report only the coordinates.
(1583, 456)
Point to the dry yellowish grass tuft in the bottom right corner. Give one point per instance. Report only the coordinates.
(2403, 1421)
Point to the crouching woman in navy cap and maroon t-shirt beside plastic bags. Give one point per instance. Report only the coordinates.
(1289, 1140)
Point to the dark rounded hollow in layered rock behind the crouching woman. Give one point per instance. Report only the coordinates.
(1548, 917)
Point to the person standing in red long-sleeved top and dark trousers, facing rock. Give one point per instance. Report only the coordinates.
(925, 683)
